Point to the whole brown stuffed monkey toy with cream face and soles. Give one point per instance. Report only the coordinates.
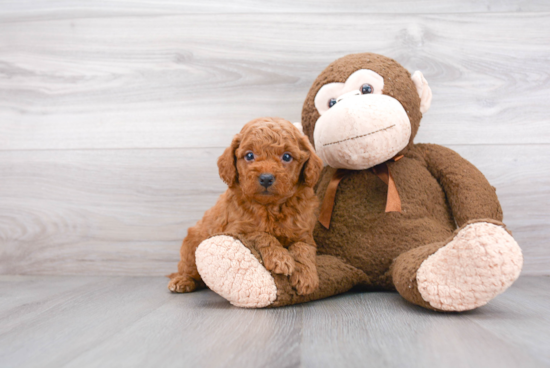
(415, 218)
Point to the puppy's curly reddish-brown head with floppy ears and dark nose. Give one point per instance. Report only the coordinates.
(269, 160)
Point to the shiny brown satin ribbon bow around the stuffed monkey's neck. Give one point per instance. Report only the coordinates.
(393, 202)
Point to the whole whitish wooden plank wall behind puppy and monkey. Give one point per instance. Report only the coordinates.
(112, 115)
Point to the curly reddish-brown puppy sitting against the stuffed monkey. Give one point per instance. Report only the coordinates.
(270, 169)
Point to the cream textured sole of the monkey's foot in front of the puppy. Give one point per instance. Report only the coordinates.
(232, 271)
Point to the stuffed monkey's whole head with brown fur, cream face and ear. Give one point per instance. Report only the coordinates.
(363, 110)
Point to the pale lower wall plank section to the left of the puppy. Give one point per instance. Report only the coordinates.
(113, 212)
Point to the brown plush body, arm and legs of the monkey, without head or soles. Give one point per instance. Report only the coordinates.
(363, 240)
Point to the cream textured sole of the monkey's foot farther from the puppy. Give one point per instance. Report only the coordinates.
(479, 263)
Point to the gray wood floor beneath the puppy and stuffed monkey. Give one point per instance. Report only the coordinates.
(79, 321)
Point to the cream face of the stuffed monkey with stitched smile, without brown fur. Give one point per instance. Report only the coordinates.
(359, 127)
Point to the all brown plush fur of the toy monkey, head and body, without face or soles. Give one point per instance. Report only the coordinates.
(439, 192)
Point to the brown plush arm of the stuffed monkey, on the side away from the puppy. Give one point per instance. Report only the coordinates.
(470, 195)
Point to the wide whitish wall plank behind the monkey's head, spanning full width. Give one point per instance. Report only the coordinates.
(120, 81)
